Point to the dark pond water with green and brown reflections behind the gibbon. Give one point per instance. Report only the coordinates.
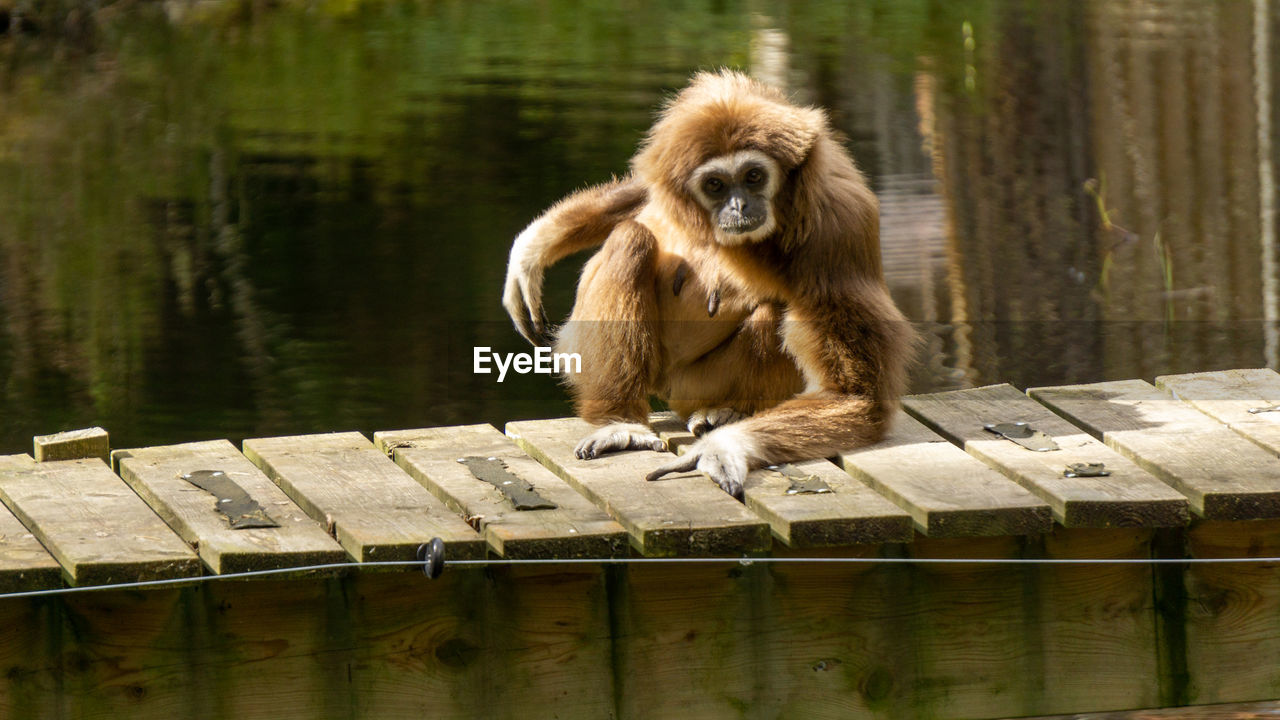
(236, 220)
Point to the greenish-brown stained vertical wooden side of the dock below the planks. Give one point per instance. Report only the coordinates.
(720, 641)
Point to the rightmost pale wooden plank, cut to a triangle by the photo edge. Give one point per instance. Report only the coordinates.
(1229, 397)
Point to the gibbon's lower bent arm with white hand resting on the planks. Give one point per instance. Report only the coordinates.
(852, 354)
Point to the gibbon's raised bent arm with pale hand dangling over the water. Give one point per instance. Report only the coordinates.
(578, 222)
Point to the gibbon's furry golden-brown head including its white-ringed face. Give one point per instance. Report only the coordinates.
(723, 152)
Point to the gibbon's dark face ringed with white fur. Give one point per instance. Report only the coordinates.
(738, 193)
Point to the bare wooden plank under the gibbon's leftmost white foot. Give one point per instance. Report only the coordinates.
(683, 514)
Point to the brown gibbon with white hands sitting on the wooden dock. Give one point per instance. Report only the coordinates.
(739, 281)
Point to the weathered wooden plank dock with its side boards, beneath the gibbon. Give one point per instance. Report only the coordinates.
(1183, 471)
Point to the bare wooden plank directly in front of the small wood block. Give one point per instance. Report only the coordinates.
(98, 530)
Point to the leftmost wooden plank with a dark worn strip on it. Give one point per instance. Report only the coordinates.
(157, 475)
